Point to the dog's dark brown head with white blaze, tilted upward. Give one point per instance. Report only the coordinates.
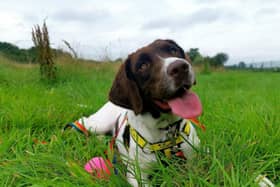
(152, 78)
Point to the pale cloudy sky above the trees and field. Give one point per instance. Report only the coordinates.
(247, 30)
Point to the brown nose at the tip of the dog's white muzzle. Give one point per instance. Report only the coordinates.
(177, 69)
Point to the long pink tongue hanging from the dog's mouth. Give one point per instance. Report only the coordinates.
(187, 106)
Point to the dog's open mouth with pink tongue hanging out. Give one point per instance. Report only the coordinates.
(186, 105)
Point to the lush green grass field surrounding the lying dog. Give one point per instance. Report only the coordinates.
(241, 114)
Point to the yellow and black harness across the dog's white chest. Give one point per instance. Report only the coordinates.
(165, 146)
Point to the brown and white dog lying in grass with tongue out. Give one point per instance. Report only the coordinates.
(149, 107)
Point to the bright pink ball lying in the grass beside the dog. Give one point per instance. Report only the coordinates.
(99, 167)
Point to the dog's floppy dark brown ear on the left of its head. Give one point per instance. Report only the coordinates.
(124, 91)
